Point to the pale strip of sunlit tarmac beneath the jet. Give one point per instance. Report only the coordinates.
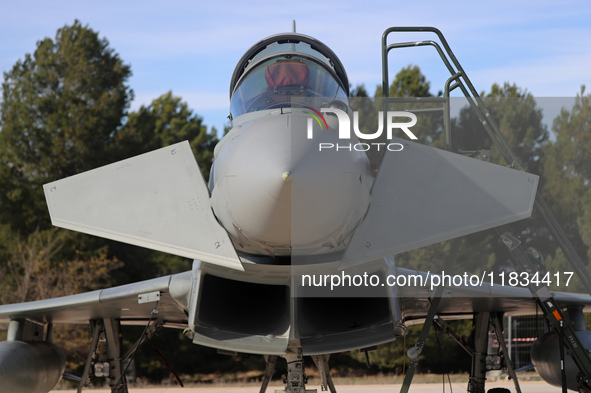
(526, 387)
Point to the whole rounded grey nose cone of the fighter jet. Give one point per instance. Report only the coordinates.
(275, 190)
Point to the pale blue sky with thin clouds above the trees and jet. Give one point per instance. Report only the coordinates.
(192, 47)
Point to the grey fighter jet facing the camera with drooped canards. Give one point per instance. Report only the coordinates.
(293, 204)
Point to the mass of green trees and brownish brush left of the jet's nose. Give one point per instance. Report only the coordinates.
(63, 113)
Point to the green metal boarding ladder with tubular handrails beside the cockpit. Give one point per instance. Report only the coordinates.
(521, 257)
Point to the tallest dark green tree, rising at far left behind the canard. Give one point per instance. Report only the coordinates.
(61, 108)
